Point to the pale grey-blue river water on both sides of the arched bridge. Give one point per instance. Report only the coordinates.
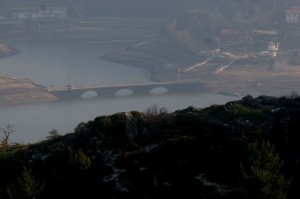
(57, 63)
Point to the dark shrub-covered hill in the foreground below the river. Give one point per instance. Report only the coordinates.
(243, 149)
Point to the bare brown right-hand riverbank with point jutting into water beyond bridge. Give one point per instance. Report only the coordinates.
(238, 79)
